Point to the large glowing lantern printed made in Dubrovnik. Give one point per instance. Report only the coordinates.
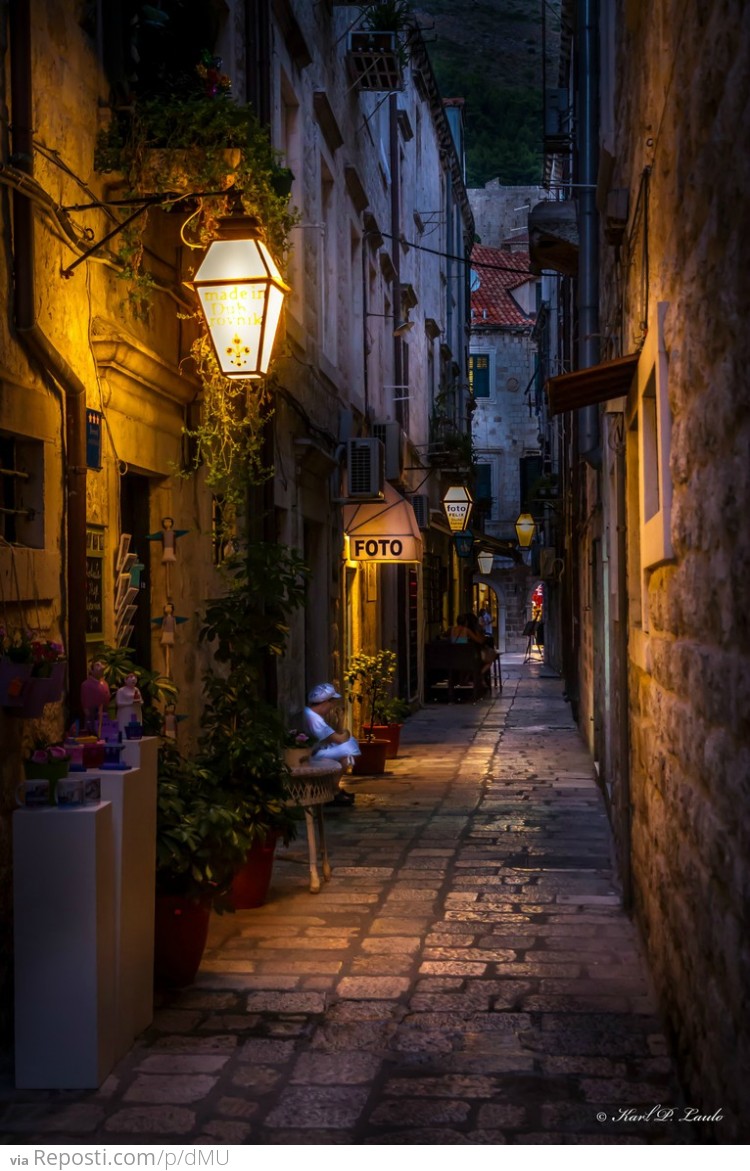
(242, 295)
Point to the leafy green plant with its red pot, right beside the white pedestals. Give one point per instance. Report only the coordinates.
(201, 845)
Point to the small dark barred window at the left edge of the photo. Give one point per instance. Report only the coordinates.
(22, 491)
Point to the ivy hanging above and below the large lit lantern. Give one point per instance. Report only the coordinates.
(204, 152)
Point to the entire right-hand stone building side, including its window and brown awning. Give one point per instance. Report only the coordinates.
(659, 503)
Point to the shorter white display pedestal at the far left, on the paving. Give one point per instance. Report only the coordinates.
(65, 947)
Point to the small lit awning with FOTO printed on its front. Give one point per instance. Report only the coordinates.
(383, 530)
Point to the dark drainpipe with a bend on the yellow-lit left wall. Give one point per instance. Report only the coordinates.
(44, 354)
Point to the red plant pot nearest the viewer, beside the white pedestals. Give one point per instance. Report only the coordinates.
(181, 930)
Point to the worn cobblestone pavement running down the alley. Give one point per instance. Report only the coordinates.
(467, 977)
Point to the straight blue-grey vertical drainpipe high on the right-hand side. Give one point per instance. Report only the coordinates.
(588, 94)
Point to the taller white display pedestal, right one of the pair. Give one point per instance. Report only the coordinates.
(133, 797)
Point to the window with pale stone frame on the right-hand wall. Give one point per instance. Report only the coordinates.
(654, 444)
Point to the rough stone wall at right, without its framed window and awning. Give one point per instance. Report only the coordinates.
(683, 129)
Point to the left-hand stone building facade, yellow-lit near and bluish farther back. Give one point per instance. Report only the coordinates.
(373, 163)
